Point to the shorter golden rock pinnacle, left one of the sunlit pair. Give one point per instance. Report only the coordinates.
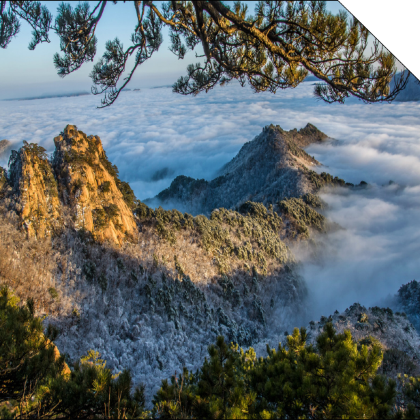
(34, 189)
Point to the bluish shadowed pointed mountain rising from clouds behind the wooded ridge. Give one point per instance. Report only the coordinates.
(267, 169)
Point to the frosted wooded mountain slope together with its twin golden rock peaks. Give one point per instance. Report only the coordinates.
(146, 288)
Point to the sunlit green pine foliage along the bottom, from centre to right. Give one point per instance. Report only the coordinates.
(335, 378)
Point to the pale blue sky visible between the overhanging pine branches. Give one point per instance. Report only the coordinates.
(27, 73)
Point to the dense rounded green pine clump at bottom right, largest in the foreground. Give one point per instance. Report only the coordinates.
(335, 378)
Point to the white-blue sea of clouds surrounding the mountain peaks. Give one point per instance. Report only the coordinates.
(154, 135)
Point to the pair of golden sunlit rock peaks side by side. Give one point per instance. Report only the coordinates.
(80, 182)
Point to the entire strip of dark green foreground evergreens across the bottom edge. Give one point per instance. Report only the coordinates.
(35, 381)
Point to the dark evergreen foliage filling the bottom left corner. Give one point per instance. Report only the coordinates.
(36, 382)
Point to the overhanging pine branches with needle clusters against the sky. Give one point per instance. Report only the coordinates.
(276, 48)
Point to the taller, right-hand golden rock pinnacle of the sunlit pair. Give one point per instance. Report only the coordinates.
(88, 184)
